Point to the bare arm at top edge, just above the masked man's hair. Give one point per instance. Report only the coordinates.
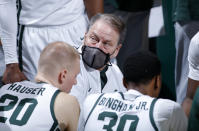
(93, 7)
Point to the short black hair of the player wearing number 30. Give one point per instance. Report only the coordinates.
(141, 67)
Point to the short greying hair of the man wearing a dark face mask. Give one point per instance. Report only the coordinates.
(114, 21)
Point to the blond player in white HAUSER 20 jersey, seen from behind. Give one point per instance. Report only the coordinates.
(45, 105)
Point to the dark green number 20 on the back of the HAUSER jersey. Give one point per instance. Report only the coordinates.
(12, 102)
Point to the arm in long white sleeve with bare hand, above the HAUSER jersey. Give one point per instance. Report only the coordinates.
(8, 32)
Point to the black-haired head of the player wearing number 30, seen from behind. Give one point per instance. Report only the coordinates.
(142, 72)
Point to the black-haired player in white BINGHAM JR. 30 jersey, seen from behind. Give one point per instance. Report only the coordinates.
(137, 109)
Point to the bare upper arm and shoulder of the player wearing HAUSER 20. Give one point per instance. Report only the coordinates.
(67, 111)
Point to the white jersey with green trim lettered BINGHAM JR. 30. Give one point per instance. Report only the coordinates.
(131, 111)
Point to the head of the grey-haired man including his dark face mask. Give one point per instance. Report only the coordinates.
(102, 40)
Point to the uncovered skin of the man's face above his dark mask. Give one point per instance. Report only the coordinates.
(101, 35)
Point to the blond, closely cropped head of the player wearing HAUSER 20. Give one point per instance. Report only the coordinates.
(59, 64)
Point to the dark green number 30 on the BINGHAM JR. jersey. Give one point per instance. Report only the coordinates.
(122, 121)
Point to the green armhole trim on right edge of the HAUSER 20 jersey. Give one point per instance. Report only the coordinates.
(55, 124)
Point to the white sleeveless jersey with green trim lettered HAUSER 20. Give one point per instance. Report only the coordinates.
(27, 106)
